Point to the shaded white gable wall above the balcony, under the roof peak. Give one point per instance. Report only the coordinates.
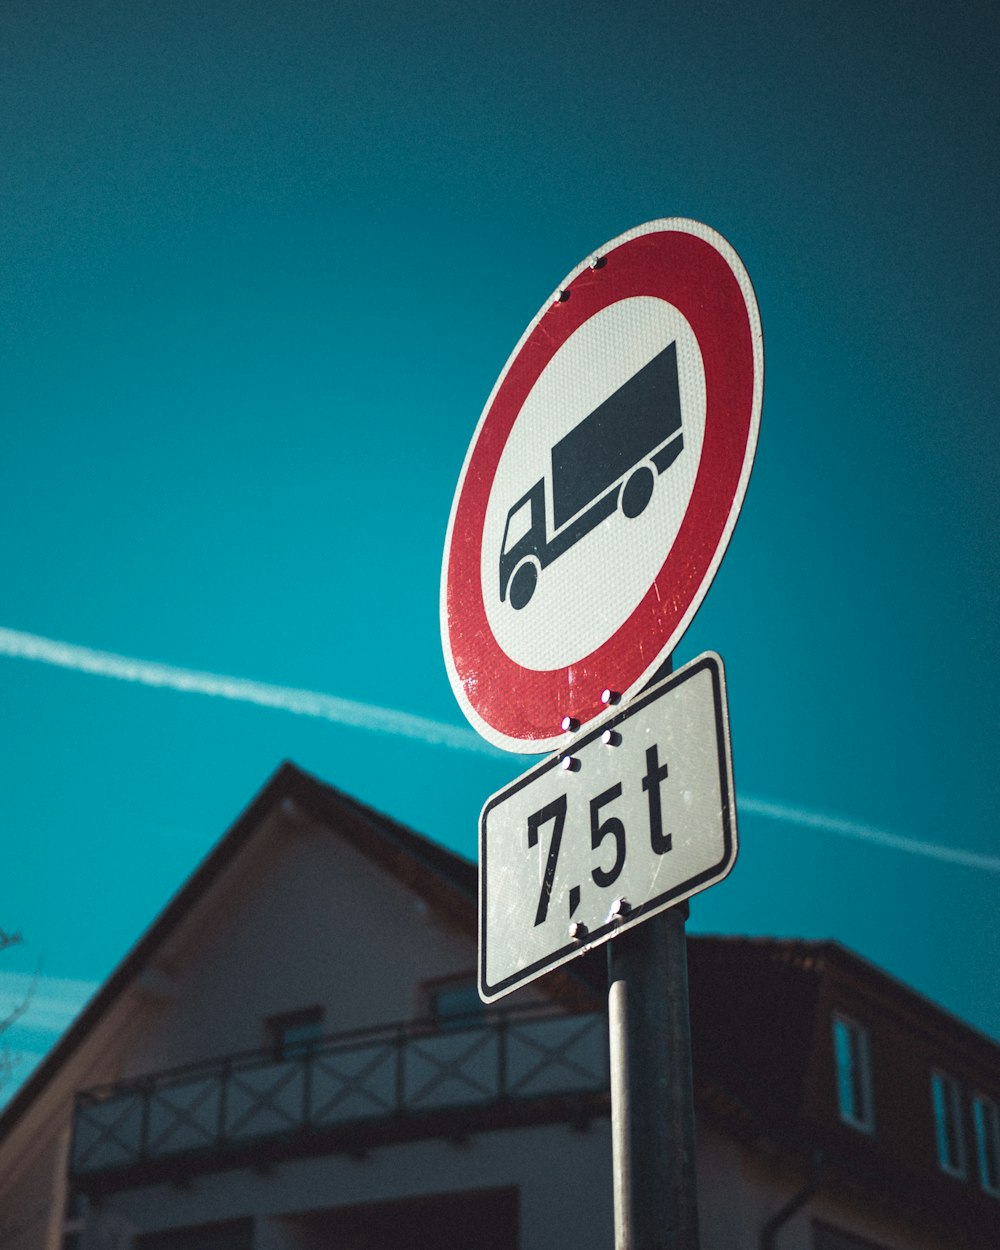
(302, 919)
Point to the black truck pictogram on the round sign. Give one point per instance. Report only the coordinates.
(613, 457)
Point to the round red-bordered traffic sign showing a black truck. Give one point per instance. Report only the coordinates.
(603, 484)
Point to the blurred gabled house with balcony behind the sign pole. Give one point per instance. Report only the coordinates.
(296, 1057)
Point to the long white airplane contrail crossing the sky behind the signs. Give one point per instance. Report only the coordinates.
(387, 721)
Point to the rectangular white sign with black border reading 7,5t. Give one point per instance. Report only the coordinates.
(634, 817)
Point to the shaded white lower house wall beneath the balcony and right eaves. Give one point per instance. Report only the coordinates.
(563, 1177)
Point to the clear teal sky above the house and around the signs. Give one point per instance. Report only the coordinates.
(262, 264)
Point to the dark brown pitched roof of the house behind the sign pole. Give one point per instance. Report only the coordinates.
(743, 992)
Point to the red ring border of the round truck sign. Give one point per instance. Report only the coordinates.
(522, 709)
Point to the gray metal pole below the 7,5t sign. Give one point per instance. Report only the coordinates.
(653, 1119)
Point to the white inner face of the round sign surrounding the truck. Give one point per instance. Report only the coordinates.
(579, 379)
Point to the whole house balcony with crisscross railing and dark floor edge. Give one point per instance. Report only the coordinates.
(346, 1094)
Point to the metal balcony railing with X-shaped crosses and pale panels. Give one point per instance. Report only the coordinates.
(399, 1072)
